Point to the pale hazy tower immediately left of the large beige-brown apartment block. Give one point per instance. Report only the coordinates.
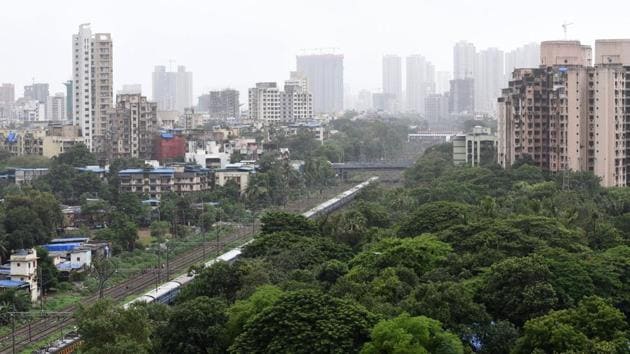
(489, 79)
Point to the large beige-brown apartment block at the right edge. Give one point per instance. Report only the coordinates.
(569, 114)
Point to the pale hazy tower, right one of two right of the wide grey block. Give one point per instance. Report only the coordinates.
(420, 82)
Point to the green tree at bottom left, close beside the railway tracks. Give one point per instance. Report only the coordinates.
(107, 328)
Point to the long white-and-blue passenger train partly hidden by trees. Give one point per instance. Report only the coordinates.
(167, 292)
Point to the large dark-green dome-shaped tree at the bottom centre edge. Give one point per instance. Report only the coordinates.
(306, 322)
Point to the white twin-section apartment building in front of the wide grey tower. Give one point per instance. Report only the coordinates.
(268, 105)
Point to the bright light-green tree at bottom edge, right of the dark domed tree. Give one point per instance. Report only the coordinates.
(405, 334)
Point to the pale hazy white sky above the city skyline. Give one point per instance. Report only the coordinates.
(235, 43)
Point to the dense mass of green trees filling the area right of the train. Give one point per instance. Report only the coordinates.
(459, 260)
